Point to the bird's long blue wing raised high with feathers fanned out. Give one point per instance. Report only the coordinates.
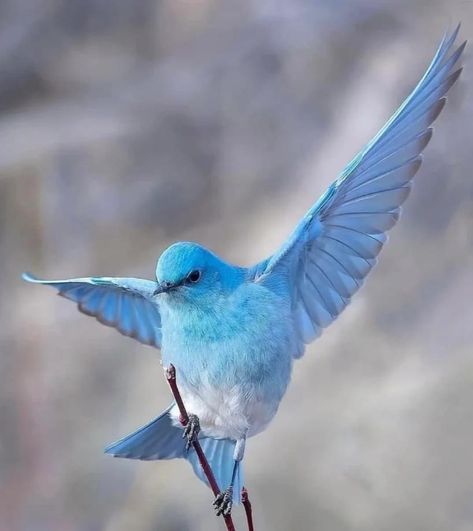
(335, 245)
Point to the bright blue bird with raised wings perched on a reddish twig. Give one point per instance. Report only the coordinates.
(233, 333)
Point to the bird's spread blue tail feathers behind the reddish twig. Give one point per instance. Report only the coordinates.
(161, 439)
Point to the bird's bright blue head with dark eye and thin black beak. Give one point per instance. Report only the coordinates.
(187, 272)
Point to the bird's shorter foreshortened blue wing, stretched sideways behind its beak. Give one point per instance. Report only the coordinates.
(124, 303)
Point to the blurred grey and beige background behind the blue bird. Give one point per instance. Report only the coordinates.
(126, 126)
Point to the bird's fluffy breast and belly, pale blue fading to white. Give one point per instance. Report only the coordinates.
(233, 360)
